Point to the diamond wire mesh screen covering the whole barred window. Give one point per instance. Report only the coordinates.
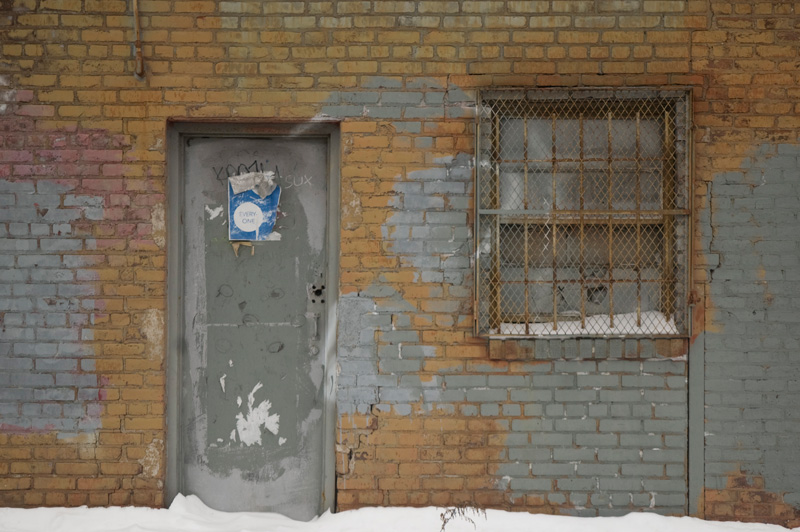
(583, 213)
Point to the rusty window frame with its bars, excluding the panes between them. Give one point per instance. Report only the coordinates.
(532, 104)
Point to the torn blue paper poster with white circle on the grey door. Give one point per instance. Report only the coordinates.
(253, 206)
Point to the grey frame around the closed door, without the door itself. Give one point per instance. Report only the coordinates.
(178, 131)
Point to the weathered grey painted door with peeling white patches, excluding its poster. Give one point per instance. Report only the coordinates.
(251, 383)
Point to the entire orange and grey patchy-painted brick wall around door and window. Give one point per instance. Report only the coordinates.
(425, 415)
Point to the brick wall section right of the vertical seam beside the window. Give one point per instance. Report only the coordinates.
(746, 159)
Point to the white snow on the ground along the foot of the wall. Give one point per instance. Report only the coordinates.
(189, 514)
